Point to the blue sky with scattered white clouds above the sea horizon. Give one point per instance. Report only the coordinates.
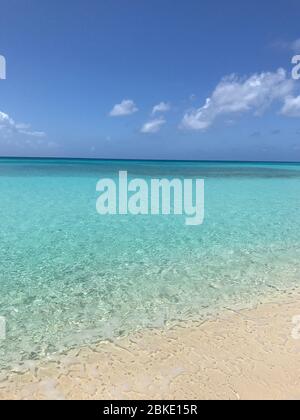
(83, 78)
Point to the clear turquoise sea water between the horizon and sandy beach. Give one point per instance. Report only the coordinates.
(69, 276)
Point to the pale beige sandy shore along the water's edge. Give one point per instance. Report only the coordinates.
(249, 354)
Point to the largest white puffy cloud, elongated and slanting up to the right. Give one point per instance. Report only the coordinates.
(234, 96)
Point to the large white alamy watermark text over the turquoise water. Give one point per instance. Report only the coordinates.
(153, 197)
